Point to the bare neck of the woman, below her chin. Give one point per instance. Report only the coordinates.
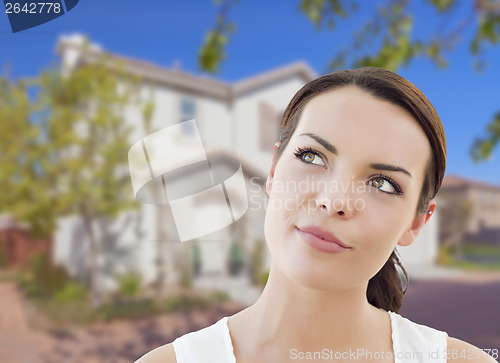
(291, 316)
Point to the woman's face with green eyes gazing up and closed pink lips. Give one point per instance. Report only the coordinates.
(345, 189)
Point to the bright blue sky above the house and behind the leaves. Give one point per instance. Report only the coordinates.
(269, 34)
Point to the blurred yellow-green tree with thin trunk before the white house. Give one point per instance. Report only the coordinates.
(84, 118)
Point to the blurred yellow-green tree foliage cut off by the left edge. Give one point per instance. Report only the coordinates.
(21, 178)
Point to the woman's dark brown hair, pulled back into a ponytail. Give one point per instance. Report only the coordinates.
(384, 289)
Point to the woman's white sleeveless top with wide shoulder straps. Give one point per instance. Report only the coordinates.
(411, 343)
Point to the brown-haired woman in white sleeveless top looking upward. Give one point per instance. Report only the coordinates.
(371, 149)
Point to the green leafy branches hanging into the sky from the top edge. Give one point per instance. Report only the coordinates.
(388, 39)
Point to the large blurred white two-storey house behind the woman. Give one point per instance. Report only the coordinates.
(237, 120)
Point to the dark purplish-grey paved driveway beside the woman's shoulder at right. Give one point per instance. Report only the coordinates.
(466, 307)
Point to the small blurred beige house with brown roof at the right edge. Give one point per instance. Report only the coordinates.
(482, 225)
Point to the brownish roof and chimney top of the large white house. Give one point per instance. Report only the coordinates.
(180, 79)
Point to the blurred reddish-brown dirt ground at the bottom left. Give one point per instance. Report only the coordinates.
(117, 342)
